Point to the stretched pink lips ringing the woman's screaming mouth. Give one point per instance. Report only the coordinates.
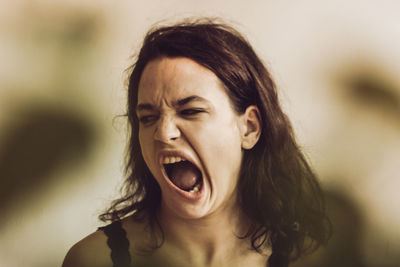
(179, 153)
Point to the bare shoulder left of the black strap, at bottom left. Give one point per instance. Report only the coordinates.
(90, 251)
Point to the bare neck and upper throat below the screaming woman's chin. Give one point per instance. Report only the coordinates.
(207, 240)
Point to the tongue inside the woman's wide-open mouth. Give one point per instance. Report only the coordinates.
(184, 175)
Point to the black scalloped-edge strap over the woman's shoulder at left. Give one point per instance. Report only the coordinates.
(118, 243)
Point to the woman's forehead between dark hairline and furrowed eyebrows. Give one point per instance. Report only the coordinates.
(168, 79)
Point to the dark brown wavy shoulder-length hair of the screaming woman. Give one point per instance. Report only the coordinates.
(278, 190)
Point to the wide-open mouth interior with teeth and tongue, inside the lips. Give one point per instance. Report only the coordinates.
(184, 175)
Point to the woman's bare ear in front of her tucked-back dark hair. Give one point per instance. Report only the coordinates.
(250, 127)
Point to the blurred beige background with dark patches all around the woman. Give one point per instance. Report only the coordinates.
(337, 66)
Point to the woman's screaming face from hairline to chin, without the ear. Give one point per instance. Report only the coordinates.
(185, 114)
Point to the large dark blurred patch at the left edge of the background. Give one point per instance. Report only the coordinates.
(44, 140)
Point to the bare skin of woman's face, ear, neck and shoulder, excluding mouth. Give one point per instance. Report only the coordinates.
(200, 231)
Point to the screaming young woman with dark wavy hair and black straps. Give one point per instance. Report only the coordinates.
(214, 175)
